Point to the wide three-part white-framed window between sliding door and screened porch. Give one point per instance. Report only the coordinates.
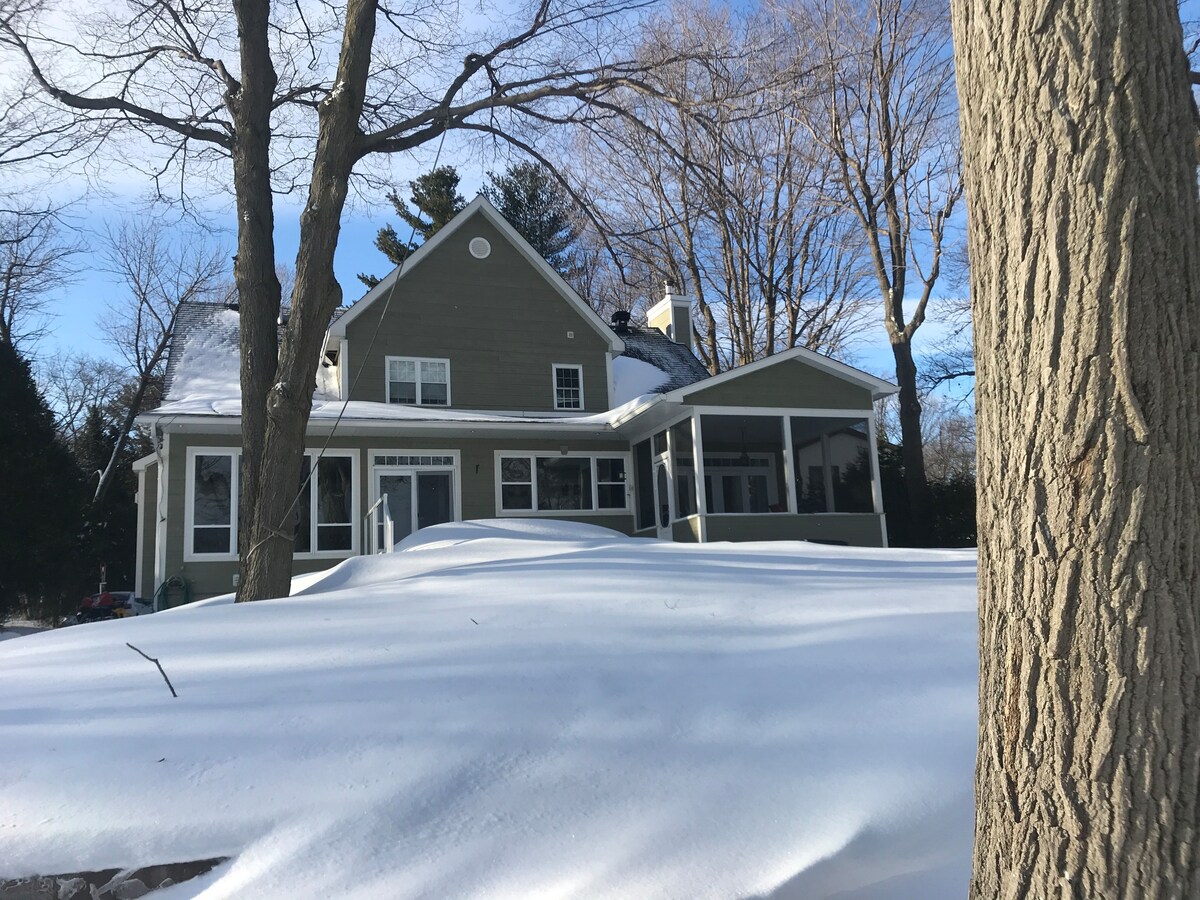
(556, 483)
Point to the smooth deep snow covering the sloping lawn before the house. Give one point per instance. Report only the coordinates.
(518, 711)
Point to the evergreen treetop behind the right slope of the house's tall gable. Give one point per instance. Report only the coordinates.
(543, 213)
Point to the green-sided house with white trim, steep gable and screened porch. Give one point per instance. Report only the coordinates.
(484, 387)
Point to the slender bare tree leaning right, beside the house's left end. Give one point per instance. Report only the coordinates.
(159, 274)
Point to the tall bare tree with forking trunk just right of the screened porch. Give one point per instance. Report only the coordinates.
(890, 122)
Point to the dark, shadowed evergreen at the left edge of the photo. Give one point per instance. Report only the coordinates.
(41, 499)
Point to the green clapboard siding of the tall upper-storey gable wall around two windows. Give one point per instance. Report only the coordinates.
(499, 321)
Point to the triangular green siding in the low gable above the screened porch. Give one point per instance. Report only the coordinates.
(790, 383)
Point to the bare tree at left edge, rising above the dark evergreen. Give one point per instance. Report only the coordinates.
(34, 263)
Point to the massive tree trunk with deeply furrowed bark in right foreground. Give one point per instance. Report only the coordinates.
(1085, 248)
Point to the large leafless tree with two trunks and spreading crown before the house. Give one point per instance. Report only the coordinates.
(299, 98)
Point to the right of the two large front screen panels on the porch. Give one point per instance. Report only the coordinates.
(833, 465)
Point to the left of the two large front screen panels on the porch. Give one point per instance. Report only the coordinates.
(745, 466)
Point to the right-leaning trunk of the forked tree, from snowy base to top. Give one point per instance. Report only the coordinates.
(267, 563)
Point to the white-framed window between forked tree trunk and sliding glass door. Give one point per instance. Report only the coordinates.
(331, 491)
